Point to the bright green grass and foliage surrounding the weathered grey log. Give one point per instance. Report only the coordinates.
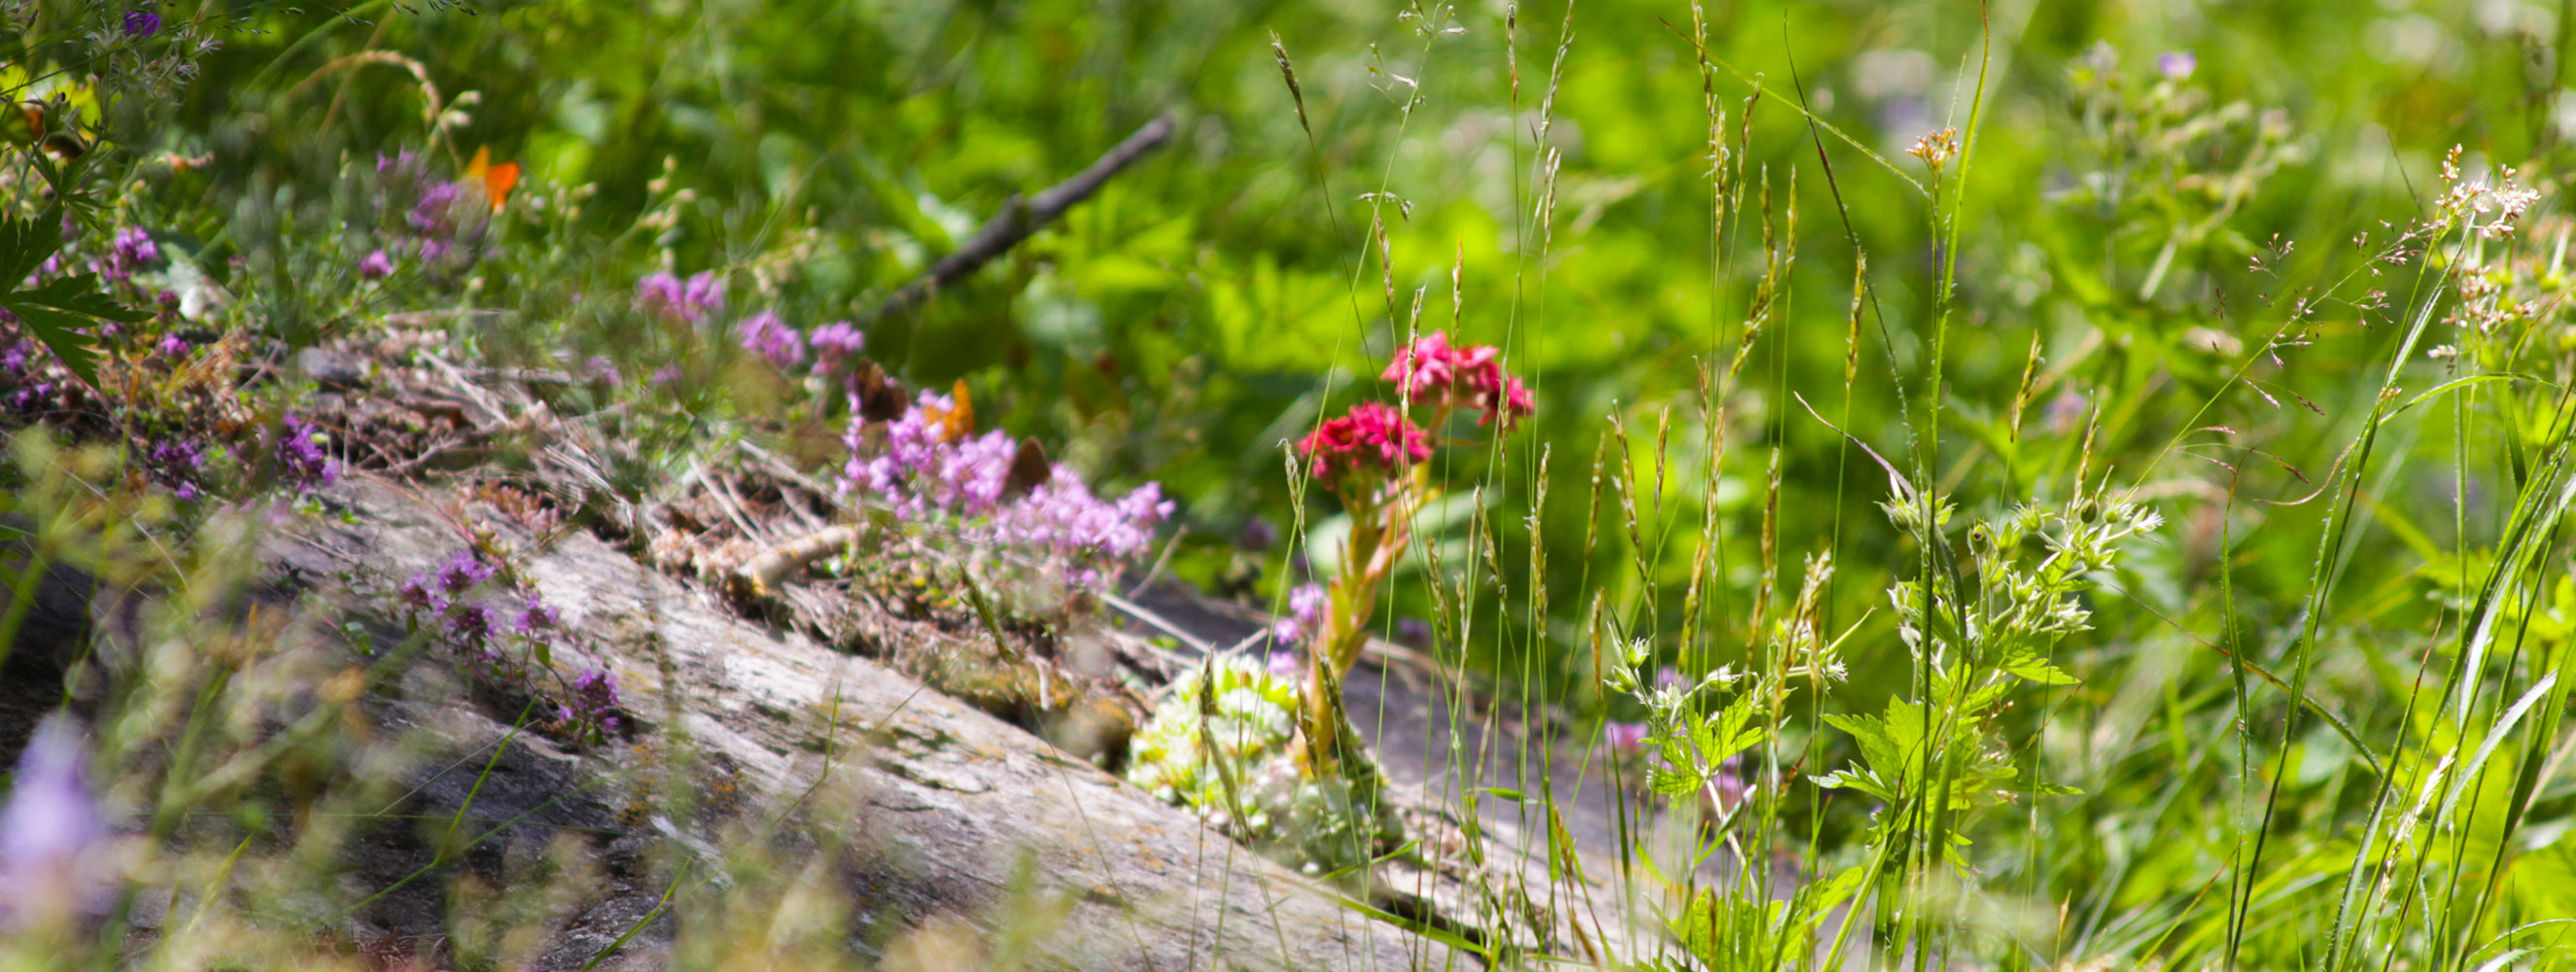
(2312, 718)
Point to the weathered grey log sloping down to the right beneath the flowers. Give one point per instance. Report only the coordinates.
(952, 808)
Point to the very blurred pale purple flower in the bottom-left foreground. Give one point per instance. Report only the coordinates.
(50, 831)
